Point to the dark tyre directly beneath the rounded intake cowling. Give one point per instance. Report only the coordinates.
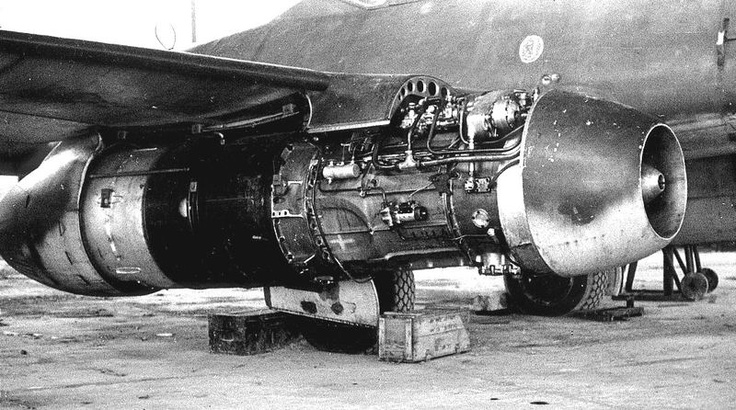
(552, 295)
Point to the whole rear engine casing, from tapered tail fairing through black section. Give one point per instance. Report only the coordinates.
(131, 220)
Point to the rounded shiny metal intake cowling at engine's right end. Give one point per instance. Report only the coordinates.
(599, 184)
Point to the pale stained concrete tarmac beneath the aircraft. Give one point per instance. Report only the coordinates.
(65, 351)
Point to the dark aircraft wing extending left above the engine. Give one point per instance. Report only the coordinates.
(53, 88)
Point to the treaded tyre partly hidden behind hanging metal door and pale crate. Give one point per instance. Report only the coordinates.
(396, 292)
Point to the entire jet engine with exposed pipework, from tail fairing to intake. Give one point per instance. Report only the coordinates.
(558, 182)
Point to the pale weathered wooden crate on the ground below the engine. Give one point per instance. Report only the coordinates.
(421, 335)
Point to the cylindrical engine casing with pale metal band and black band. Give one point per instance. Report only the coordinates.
(188, 215)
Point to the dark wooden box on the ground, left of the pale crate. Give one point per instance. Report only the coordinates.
(251, 332)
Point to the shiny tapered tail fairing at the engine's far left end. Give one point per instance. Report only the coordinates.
(41, 226)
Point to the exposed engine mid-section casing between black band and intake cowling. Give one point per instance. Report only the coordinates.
(339, 221)
